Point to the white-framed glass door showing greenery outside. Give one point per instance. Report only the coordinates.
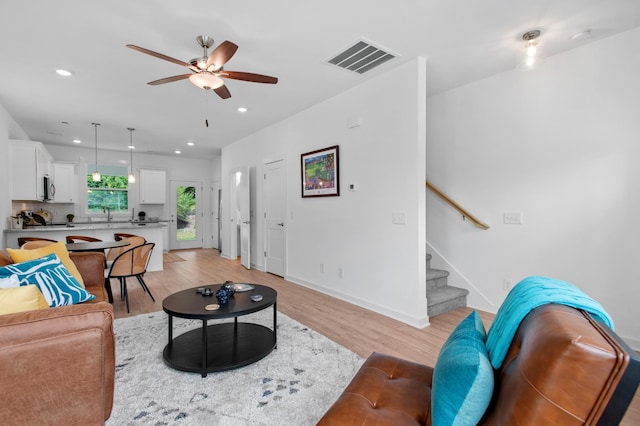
(186, 215)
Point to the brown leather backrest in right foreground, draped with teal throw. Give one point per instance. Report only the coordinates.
(567, 369)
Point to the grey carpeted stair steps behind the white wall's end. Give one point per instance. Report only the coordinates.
(441, 297)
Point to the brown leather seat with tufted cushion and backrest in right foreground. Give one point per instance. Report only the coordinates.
(562, 368)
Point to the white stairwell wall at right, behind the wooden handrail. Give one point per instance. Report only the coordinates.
(560, 144)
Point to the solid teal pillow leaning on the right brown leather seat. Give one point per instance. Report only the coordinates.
(463, 377)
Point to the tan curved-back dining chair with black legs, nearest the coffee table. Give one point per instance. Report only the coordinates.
(132, 262)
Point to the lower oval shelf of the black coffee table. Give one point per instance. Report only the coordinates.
(229, 345)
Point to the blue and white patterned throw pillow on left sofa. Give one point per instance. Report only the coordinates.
(53, 279)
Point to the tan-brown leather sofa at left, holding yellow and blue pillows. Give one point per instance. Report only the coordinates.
(57, 365)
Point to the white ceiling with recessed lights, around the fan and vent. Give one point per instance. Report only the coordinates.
(463, 40)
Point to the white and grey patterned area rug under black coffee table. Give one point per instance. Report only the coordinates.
(293, 385)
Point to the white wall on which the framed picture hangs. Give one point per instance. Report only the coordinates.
(383, 263)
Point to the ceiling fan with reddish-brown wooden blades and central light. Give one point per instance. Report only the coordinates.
(207, 71)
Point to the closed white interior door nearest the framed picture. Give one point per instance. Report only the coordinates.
(275, 206)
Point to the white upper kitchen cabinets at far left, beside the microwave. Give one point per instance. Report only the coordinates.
(30, 164)
